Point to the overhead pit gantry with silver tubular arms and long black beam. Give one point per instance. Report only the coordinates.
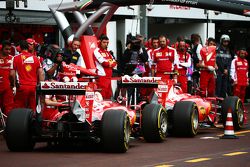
(79, 9)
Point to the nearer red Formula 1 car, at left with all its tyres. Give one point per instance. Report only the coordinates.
(84, 115)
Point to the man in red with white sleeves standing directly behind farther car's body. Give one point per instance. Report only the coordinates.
(184, 63)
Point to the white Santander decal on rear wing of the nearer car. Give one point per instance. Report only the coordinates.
(63, 85)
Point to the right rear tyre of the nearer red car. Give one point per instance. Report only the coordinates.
(115, 131)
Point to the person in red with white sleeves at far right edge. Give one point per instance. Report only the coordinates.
(239, 74)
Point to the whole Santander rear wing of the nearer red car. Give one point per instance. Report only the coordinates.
(61, 88)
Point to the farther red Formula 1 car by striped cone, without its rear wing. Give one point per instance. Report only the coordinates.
(186, 112)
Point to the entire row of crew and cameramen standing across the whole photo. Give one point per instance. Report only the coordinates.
(218, 70)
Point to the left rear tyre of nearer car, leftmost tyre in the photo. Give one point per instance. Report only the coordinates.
(19, 130)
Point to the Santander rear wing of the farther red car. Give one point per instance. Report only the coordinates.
(139, 82)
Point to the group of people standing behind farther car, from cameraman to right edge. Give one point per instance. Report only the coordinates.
(218, 70)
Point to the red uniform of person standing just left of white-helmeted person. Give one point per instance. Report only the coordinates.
(207, 80)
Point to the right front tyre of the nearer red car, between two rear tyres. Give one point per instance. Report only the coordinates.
(154, 123)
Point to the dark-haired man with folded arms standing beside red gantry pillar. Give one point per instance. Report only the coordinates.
(104, 64)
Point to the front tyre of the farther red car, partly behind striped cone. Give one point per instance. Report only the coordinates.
(236, 105)
